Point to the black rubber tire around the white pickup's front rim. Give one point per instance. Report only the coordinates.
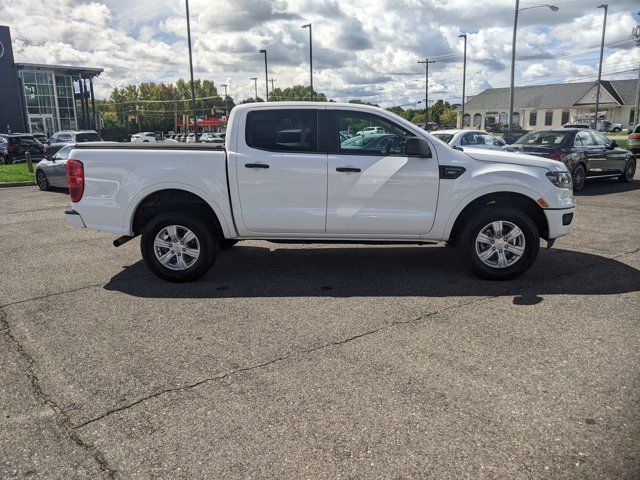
(466, 242)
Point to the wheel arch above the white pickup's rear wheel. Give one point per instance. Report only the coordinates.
(154, 202)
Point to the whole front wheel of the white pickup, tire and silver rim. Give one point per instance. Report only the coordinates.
(499, 243)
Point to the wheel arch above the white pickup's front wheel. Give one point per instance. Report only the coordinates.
(499, 199)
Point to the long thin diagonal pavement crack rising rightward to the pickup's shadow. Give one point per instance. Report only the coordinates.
(299, 353)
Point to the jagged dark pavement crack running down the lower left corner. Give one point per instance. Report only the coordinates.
(63, 418)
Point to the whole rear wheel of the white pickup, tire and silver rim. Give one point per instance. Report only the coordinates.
(178, 247)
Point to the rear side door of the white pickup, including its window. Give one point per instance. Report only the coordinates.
(281, 175)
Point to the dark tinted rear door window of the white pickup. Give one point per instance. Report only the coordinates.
(286, 130)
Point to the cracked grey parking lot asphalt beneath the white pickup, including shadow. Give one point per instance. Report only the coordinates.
(319, 361)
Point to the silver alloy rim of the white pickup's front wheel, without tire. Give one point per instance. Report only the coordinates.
(500, 244)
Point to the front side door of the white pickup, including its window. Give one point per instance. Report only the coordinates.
(373, 187)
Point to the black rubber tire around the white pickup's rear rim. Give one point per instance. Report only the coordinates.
(206, 241)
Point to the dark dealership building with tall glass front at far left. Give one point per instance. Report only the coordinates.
(44, 98)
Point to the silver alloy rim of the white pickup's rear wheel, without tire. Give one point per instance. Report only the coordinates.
(176, 247)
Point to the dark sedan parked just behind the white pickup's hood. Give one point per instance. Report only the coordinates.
(587, 153)
